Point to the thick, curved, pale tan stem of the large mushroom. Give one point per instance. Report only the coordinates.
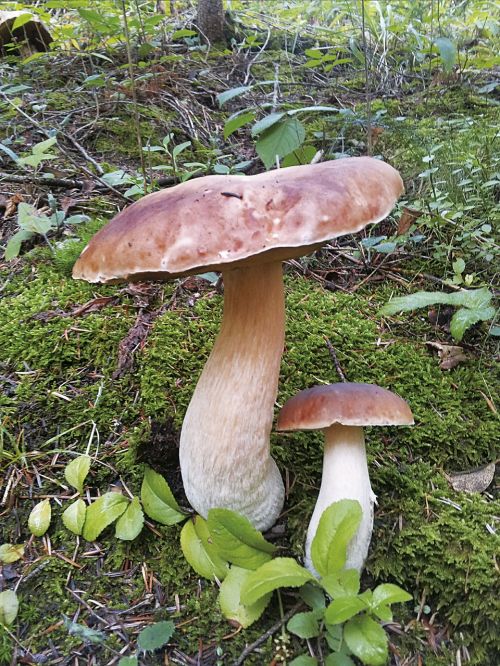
(224, 448)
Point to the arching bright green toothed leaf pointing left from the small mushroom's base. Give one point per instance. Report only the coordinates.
(280, 572)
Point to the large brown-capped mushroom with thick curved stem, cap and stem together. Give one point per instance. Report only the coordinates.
(244, 227)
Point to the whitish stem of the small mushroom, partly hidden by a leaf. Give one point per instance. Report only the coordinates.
(345, 476)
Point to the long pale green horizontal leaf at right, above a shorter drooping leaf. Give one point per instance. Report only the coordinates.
(467, 298)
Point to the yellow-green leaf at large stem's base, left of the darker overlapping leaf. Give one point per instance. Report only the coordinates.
(200, 552)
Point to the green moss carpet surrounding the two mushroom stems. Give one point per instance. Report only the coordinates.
(50, 356)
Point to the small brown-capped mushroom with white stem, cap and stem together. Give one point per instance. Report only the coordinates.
(341, 411)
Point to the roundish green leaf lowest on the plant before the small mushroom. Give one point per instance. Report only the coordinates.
(366, 639)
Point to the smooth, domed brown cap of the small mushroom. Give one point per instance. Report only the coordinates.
(347, 404)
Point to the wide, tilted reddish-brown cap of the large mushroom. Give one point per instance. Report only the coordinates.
(221, 222)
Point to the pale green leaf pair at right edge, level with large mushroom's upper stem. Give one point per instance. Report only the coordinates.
(474, 306)
